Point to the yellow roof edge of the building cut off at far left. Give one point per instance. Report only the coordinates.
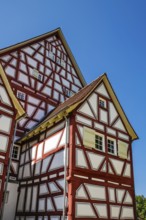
(18, 107)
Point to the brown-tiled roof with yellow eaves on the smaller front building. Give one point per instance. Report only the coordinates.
(70, 104)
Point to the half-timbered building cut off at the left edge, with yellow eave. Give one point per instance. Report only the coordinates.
(10, 112)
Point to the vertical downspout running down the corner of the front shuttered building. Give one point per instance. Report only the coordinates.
(65, 164)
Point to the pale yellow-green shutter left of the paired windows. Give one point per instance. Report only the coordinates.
(88, 137)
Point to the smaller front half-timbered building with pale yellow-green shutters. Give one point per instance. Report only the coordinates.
(91, 133)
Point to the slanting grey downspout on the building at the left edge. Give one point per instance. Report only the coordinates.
(8, 171)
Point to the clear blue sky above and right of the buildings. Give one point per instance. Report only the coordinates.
(104, 36)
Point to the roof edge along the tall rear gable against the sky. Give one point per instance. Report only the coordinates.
(56, 32)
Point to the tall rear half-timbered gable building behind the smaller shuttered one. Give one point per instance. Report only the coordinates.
(43, 73)
